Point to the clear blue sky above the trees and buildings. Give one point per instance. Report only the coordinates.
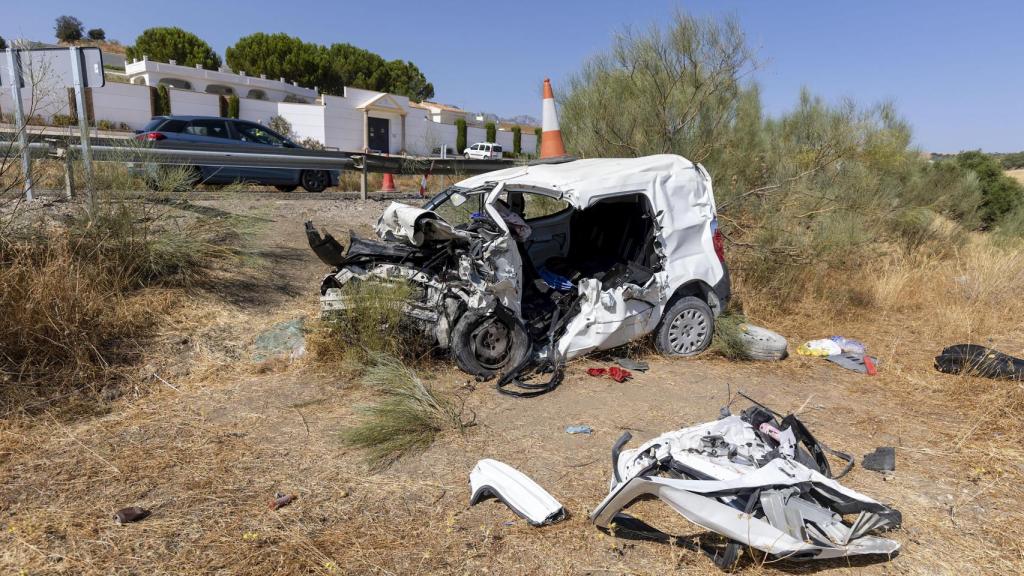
(953, 68)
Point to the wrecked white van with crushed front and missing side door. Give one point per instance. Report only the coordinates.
(519, 270)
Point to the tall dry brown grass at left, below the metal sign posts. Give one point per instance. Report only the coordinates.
(72, 289)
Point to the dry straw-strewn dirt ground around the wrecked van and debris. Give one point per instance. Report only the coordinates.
(209, 436)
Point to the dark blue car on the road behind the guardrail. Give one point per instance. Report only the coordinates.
(210, 130)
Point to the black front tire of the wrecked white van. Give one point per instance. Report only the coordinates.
(485, 345)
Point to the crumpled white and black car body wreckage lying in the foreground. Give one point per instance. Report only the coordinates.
(773, 472)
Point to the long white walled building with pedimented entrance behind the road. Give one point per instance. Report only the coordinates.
(356, 121)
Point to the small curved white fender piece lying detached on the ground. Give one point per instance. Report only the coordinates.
(526, 498)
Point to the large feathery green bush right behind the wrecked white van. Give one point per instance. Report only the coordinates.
(802, 197)
